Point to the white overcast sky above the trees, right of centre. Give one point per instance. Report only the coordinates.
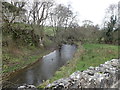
(93, 10)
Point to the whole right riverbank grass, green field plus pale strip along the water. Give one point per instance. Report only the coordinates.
(86, 56)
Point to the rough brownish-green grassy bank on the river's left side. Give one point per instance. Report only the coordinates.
(17, 58)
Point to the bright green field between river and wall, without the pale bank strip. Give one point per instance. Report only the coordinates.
(96, 54)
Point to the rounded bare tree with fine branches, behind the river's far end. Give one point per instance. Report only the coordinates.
(62, 19)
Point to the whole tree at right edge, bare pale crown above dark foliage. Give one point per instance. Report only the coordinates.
(111, 28)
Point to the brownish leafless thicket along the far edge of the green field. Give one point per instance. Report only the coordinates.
(90, 34)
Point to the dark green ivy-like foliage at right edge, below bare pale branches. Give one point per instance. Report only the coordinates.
(110, 33)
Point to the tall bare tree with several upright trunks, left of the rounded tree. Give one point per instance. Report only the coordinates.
(39, 14)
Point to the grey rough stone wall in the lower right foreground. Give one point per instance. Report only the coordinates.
(104, 76)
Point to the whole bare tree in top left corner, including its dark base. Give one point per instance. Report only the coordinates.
(11, 12)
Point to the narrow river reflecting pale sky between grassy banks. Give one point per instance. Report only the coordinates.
(45, 68)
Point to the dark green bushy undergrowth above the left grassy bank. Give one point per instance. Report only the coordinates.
(27, 37)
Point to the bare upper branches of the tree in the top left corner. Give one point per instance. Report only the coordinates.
(11, 10)
